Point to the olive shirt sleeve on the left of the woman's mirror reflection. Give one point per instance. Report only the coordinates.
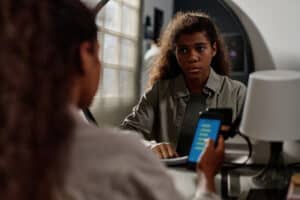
(142, 117)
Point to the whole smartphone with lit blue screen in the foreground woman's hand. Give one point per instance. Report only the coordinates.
(208, 127)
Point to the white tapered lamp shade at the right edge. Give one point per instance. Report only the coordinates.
(272, 106)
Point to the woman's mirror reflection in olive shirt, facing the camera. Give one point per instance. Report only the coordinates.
(189, 76)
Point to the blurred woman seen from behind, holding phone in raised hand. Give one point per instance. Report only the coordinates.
(46, 150)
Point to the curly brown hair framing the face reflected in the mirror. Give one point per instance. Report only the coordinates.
(166, 66)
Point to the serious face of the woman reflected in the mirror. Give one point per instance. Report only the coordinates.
(194, 54)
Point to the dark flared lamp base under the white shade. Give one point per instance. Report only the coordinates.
(275, 174)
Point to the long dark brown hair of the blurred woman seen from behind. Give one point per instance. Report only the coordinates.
(39, 57)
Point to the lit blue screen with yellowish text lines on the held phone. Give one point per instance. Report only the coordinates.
(206, 128)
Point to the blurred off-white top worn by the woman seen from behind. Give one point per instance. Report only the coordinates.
(110, 164)
